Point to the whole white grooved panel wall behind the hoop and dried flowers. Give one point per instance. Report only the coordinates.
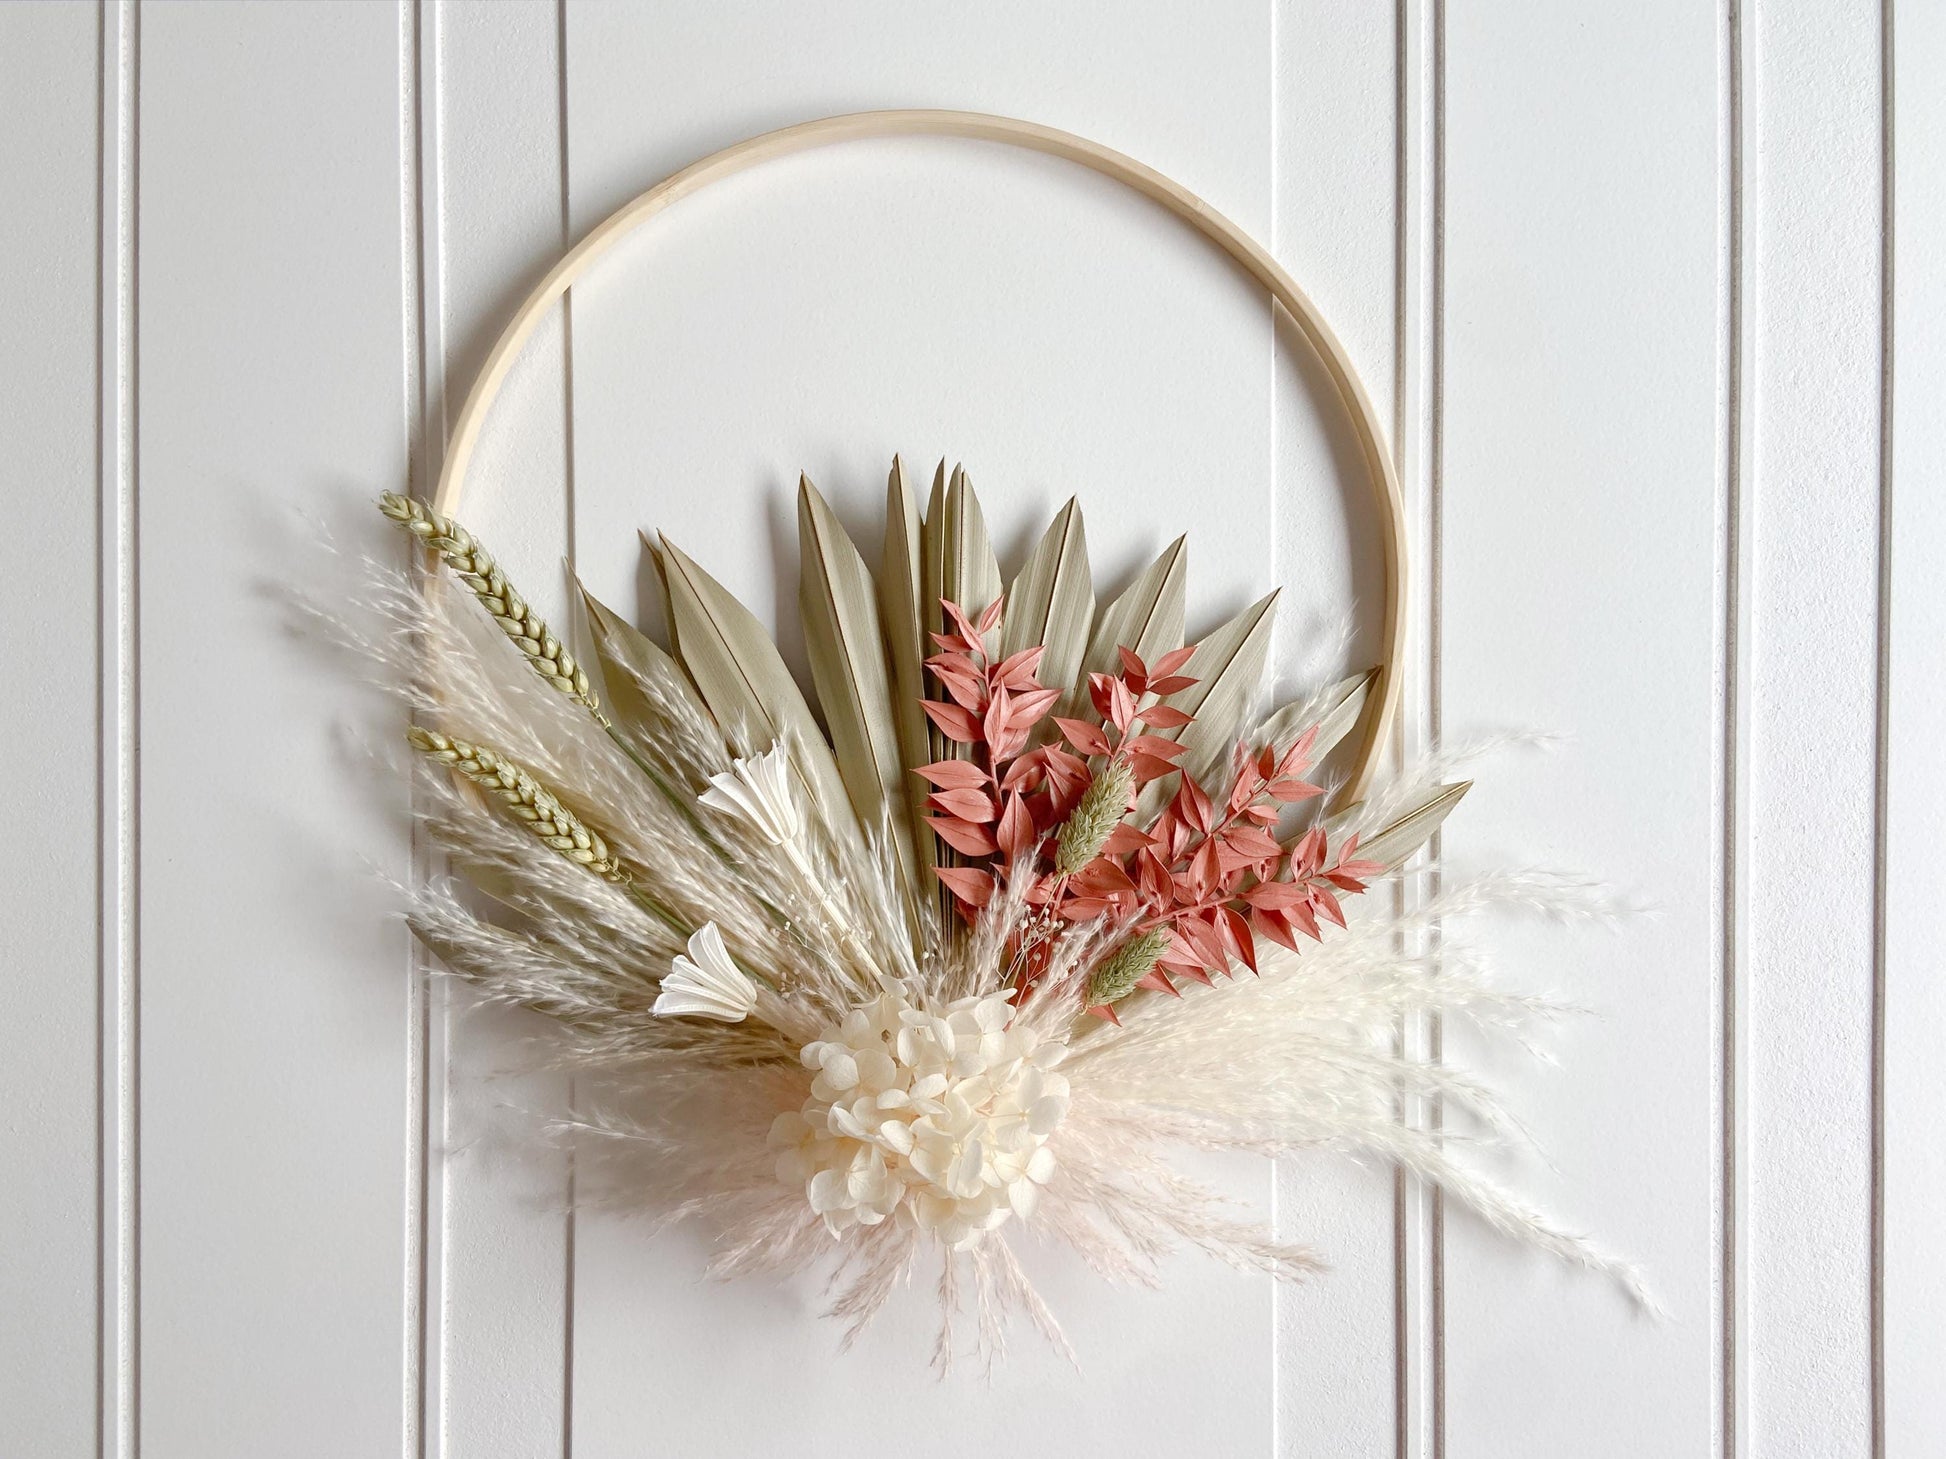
(1653, 302)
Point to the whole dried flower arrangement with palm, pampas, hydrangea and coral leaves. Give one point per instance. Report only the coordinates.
(1036, 904)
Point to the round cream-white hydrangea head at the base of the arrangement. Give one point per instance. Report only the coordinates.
(939, 1120)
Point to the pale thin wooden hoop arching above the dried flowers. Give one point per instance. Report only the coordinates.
(1180, 201)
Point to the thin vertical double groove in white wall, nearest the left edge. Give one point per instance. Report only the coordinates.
(120, 729)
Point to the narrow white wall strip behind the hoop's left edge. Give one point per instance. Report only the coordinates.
(491, 217)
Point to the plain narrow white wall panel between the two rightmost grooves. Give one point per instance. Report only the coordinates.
(1815, 480)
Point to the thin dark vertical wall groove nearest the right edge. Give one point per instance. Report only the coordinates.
(1883, 711)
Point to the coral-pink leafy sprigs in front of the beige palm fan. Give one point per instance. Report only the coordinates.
(1209, 872)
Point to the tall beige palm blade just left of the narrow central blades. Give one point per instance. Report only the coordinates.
(847, 651)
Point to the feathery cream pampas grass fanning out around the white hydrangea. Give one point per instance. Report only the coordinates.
(678, 1110)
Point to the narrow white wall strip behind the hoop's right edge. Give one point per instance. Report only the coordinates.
(1336, 217)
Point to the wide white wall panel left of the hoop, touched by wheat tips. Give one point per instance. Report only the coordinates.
(273, 1034)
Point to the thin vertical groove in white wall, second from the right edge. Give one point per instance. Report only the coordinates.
(1731, 734)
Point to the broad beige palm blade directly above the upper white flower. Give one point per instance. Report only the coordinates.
(752, 695)
